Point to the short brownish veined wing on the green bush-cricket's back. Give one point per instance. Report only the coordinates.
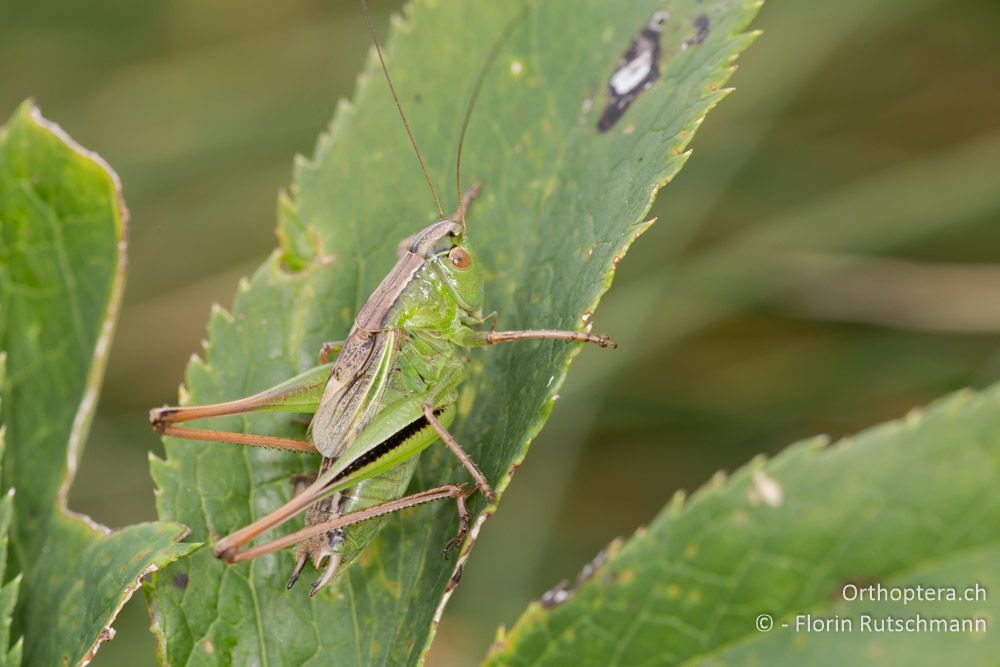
(354, 391)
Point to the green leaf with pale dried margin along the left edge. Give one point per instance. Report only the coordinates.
(62, 261)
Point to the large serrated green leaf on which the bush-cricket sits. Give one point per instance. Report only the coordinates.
(560, 205)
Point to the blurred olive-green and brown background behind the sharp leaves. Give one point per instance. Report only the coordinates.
(829, 258)
